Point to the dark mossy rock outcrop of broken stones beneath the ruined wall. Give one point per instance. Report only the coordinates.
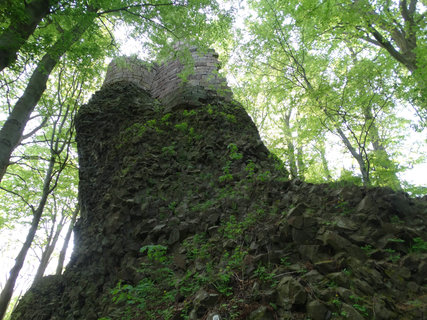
(186, 215)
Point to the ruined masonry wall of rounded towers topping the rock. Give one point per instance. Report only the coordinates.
(164, 81)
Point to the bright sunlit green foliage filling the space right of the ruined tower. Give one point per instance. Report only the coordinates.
(306, 78)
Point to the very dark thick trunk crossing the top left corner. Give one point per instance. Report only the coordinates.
(12, 39)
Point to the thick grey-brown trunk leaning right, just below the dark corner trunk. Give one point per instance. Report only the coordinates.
(13, 128)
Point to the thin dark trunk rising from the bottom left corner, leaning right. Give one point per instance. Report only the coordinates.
(7, 291)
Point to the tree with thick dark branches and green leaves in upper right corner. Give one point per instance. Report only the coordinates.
(397, 28)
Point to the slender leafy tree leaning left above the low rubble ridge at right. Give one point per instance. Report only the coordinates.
(344, 84)
